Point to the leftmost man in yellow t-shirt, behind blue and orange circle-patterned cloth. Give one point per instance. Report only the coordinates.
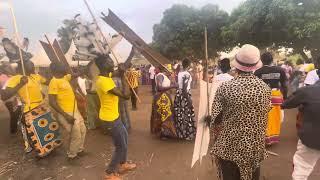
(28, 88)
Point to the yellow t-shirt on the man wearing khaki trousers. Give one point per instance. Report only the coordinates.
(64, 92)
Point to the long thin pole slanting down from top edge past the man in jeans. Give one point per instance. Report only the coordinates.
(112, 52)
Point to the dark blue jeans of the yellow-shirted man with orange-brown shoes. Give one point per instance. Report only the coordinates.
(119, 136)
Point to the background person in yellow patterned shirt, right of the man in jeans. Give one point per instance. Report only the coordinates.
(133, 77)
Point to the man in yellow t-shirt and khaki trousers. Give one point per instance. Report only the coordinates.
(62, 100)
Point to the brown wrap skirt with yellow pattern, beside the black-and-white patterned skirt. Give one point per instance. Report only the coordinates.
(162, 116)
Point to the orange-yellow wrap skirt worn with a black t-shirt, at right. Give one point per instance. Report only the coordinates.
(275, 117)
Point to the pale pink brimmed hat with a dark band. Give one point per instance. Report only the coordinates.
(248, 59)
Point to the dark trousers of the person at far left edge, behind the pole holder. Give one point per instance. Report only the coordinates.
(15, 115)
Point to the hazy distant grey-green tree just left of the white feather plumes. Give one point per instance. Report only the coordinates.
(66, 34)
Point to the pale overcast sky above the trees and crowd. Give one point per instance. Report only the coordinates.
(38, 17)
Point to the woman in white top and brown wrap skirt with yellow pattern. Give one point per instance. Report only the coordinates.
(162, 116)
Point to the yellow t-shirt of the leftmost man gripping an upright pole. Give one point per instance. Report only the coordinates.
(30, 94)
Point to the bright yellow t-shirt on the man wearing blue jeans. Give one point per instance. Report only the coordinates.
(109, 102)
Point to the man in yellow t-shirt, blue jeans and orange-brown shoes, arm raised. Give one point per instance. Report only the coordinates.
(109, 96)
